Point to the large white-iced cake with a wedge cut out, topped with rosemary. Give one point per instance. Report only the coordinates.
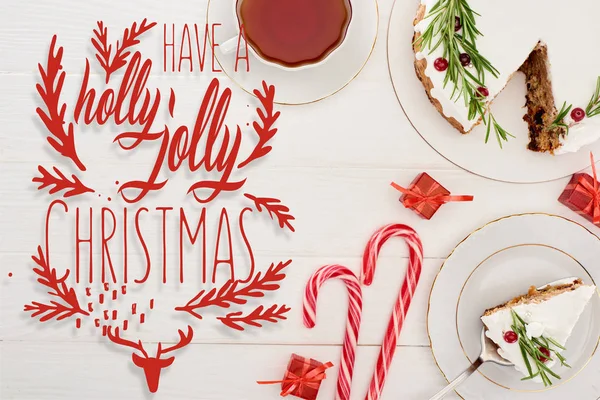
(467, 51)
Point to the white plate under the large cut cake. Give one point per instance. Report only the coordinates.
(513, 163)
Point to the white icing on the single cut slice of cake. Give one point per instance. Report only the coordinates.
(554, 318)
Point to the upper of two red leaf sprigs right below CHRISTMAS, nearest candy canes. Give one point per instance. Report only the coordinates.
(233, 293)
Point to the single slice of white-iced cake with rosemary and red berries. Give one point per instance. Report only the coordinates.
(532, 330)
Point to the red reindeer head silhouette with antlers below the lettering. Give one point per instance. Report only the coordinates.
(152, 366)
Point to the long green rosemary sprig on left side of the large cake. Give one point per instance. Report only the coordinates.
(466, 83)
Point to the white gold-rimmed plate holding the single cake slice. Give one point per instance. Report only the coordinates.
(494, 264)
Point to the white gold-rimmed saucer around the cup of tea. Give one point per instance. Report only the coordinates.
(303, 85)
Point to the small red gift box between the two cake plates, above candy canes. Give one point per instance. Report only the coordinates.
(425, 195)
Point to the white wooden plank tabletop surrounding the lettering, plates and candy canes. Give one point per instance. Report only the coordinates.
(332, 163)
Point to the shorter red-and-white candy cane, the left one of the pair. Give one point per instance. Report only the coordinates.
(344, 383)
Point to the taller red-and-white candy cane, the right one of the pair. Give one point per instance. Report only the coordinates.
(404, 297)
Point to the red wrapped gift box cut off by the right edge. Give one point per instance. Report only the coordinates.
(582, 195)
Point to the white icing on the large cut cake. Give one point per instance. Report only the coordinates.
(511, 30)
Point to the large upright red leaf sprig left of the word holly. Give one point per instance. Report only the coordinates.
(53, 78)
